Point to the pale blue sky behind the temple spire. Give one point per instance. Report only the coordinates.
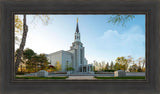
(102, 41)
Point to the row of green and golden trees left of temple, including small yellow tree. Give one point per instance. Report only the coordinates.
(33, 62)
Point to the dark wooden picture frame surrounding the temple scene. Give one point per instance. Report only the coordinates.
(8, 85)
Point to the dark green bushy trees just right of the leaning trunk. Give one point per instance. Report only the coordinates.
(34, 62)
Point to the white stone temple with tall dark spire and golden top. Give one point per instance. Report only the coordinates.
(75, 57)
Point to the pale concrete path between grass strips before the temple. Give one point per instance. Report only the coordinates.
(81, 78)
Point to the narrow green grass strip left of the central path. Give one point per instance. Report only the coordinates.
(41, 77)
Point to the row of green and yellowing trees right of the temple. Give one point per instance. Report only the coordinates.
(121, 63)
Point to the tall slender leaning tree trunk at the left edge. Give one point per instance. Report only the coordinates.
(20, 51)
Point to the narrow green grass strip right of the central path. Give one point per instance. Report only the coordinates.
(132, 77)
